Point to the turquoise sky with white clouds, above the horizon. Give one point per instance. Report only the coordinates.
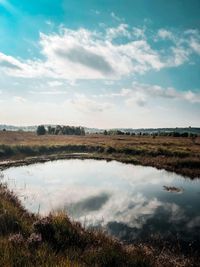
(104, 64)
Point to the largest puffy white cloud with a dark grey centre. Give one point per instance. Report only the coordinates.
(85, 55)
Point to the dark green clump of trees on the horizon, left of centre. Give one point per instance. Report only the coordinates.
(60, 130)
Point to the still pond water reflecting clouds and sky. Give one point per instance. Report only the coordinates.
(128, 200)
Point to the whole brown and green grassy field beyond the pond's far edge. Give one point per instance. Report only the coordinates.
(177, 154)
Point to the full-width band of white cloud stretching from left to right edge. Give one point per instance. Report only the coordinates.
(83, 54)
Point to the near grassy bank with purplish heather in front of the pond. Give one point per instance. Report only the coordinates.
(29, 240)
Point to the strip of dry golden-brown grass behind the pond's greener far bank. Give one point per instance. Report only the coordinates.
(31, 139)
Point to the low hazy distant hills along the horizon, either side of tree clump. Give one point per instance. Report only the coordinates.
(193, 130)
